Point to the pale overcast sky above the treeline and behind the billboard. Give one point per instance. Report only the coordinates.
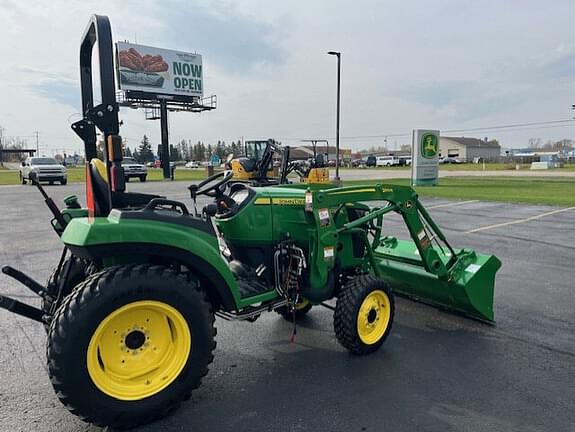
(449, 64)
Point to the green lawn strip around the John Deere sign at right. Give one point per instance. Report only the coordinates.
(532, 190)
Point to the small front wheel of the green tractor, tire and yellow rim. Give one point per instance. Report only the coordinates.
(364, 314)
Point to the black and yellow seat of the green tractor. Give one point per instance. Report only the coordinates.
(100, 189)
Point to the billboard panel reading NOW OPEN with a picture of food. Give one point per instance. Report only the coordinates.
(159, 71)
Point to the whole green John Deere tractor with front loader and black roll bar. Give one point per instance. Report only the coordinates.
(130, 308)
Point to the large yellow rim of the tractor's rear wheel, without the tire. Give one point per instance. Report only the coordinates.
(138, 350)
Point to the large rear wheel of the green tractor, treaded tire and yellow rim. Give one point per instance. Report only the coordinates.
(120, 349)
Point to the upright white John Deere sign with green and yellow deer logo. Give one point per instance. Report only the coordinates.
(425, 152)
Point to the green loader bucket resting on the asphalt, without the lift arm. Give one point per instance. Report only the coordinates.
(468, 289)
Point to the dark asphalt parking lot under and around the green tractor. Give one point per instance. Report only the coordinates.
(437, 372)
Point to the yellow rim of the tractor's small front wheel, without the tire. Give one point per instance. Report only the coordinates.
(373, 317)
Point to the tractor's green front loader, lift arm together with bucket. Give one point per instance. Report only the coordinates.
(427, 268)
